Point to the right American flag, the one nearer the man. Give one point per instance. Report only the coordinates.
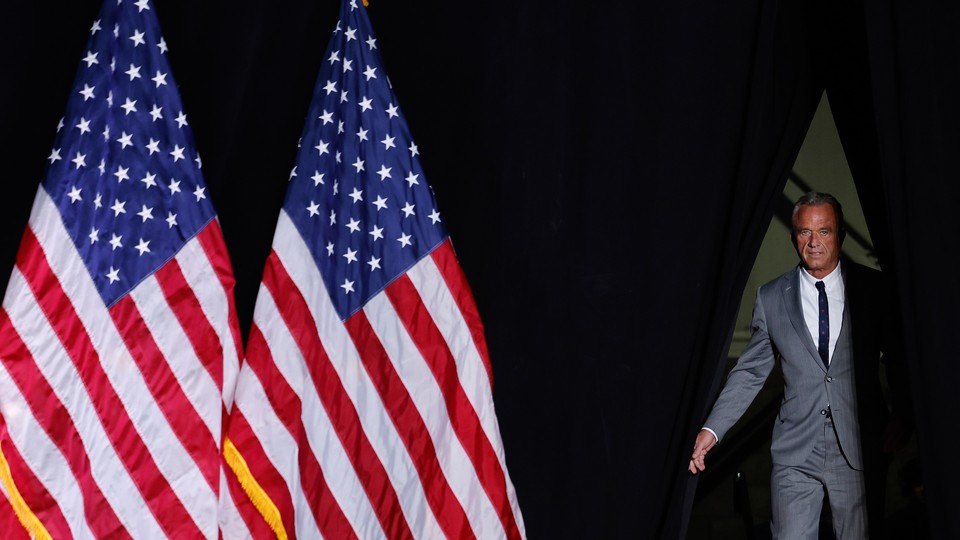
(364, 407)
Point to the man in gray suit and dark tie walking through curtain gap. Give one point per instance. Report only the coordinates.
(828, 325)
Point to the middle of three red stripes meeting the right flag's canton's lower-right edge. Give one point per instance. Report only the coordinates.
(406, 300)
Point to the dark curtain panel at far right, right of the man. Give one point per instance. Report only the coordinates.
(914, 57)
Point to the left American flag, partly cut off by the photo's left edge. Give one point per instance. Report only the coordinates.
(119, 346)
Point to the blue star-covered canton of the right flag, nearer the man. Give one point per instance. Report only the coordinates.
(357, 194)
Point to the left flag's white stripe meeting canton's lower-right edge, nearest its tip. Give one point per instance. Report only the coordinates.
(197, 383)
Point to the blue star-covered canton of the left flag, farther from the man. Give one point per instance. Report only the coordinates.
(123, 170)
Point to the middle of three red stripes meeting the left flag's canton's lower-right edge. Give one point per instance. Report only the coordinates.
(186, 308)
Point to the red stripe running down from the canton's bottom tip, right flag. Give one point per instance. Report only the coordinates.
(410, 427)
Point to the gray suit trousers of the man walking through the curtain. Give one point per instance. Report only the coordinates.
(797, 493)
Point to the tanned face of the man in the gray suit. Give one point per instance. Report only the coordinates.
(815, 235)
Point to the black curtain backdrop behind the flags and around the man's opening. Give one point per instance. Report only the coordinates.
(606, 171)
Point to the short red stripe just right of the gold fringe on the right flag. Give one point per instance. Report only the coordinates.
(262, 469)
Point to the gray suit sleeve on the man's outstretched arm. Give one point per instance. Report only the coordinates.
(746, 378)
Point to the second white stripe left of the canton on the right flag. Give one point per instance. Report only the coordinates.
(323, 440)
